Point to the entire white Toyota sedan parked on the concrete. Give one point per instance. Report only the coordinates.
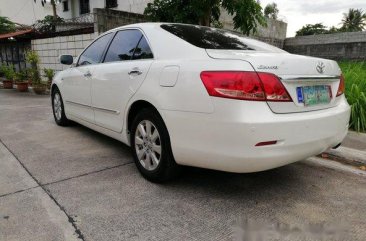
(197, 96)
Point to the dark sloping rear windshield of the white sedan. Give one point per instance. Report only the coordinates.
(213, 38)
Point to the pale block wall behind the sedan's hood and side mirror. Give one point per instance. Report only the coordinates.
(50, 49)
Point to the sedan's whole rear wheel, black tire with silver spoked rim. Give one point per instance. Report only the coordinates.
(152, 152)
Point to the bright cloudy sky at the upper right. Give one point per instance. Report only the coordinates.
(298, 13)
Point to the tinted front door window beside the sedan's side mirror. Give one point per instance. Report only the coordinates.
(94, 52)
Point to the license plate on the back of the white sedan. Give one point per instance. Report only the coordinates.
(314, 95)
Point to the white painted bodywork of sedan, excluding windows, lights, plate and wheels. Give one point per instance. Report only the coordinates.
(206, 131)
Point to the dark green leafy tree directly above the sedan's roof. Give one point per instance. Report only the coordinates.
(247, 14)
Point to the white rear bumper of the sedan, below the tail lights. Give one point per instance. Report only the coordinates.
(225, 140)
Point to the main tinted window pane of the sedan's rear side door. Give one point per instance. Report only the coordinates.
(123, 45)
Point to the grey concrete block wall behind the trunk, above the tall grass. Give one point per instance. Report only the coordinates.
(331, 46)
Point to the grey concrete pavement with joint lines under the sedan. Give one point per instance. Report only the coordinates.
(75, 184)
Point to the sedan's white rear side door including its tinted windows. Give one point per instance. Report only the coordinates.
(126, 64)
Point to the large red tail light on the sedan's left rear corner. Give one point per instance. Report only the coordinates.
(244, 85)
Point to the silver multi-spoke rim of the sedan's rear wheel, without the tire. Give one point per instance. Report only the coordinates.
(148, 145)
